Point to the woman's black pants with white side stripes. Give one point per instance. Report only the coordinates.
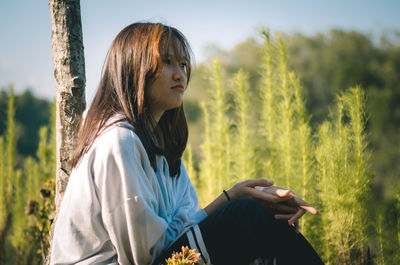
(241, 231)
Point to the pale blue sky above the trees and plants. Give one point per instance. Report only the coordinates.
(25, 29)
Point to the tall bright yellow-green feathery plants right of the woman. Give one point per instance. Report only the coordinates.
(329, 168)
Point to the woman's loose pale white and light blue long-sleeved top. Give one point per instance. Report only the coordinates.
(117, 209)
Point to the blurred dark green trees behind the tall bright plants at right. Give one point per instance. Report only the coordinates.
(327, 63)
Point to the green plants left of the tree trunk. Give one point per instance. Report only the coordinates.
(26, 208)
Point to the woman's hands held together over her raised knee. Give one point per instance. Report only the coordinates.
(282, 203)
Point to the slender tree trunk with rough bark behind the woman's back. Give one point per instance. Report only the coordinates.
(69, 72)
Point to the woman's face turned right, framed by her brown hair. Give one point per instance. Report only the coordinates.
(166, 90)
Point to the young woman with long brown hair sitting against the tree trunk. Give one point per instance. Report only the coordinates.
(129, 199)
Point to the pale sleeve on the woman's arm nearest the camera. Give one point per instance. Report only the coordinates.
(125, 184)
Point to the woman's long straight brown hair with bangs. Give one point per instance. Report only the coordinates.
(133, 61)
